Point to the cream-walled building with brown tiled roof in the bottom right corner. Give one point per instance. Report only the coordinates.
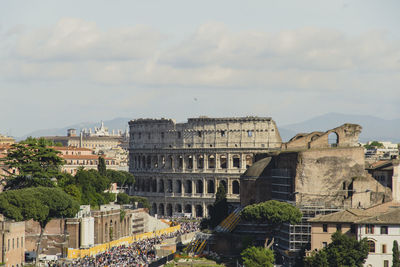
(379, 224)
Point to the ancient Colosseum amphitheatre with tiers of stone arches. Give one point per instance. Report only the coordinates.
(178, 166)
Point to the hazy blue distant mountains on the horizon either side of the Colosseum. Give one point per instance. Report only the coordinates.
(374, 128)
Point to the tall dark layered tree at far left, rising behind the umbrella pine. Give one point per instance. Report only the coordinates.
(36, 164)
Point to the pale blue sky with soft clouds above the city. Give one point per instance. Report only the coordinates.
(65, 62)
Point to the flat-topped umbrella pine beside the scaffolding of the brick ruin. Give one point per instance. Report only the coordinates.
(274, 213)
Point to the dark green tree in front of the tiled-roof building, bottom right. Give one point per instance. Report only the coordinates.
(343, 251)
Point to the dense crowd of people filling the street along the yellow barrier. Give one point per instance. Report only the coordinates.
(138, 254)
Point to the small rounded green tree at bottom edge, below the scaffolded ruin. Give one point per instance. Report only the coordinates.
(258, 257)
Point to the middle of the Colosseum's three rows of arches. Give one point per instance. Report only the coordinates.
(199, 186)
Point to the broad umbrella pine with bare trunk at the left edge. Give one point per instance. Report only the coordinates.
(40, 204)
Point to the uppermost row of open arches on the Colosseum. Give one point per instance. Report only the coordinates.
(202, 161)
